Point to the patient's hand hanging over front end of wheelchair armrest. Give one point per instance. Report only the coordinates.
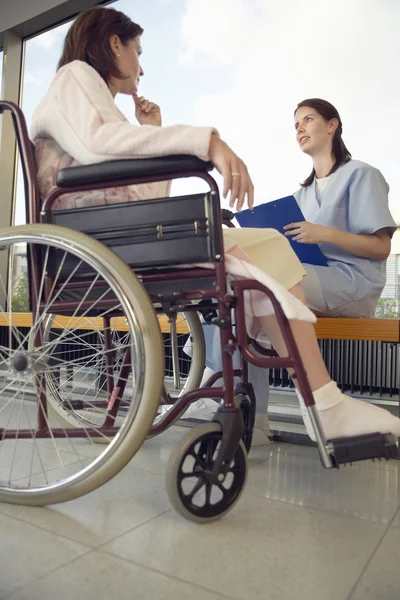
(236, 177)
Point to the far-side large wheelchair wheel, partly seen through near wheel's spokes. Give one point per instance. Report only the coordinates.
(66, 386)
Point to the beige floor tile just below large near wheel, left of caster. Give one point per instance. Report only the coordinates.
(128, 500)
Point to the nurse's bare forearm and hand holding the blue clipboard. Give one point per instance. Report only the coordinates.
(372, 245)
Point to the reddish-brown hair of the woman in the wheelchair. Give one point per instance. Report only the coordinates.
(88, 40)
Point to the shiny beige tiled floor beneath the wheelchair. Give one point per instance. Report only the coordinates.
(299, 532)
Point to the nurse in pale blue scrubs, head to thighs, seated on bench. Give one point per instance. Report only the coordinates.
(345, 204)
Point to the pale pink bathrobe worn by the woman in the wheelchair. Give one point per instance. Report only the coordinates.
(78, 122)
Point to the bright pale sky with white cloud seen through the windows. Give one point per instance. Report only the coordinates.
(243, 65)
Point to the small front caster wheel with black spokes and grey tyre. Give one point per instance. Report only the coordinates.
(190, 489)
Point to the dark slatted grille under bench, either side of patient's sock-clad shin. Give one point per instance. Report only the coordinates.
(362, 367)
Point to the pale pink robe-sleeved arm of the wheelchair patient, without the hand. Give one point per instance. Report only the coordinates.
(79, 113)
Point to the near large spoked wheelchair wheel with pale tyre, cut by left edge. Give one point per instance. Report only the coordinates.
(83, 283)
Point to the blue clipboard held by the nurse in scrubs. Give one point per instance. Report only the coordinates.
(276, 215)
